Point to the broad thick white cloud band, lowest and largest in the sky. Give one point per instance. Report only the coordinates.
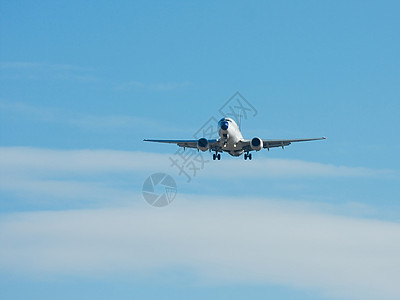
(219, 240)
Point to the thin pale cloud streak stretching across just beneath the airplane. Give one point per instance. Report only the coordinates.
(25, 158)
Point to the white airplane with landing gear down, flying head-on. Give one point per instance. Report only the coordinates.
(231, 141)
